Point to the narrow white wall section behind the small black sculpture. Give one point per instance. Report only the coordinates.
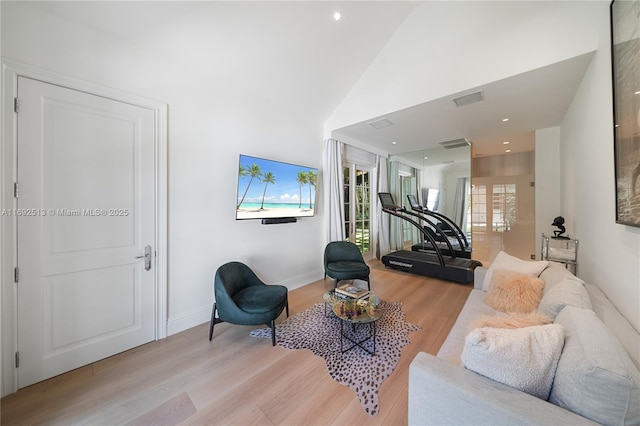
(547, 178)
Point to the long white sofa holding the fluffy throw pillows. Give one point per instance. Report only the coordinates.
(441, 391)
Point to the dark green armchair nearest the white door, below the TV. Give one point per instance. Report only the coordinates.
(241, 298)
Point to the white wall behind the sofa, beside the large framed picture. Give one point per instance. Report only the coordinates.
(609, 254)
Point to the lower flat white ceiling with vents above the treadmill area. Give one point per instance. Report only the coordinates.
(534, 100)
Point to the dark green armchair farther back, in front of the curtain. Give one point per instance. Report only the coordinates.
(343, 261)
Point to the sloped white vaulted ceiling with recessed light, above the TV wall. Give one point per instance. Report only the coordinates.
(291, 54)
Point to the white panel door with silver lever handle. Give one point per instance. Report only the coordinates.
(85, 215)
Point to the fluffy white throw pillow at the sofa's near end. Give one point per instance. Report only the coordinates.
(523, 358)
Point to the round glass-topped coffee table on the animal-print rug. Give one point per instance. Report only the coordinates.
(357, 313)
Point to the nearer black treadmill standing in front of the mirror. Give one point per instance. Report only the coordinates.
(431, 264)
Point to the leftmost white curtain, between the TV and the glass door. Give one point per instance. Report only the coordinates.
(333, 181)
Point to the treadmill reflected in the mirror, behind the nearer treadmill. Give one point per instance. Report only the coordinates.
(444, 228)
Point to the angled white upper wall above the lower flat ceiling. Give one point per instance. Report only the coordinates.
(445, 47)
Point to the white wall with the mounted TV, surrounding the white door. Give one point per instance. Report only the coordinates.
(209, 126)
